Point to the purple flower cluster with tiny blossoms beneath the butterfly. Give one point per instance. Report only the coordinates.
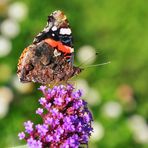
(66, 120)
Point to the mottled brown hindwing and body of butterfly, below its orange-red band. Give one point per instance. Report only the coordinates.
(42, 64)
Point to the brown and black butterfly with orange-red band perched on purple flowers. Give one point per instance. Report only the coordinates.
(49, 59)
